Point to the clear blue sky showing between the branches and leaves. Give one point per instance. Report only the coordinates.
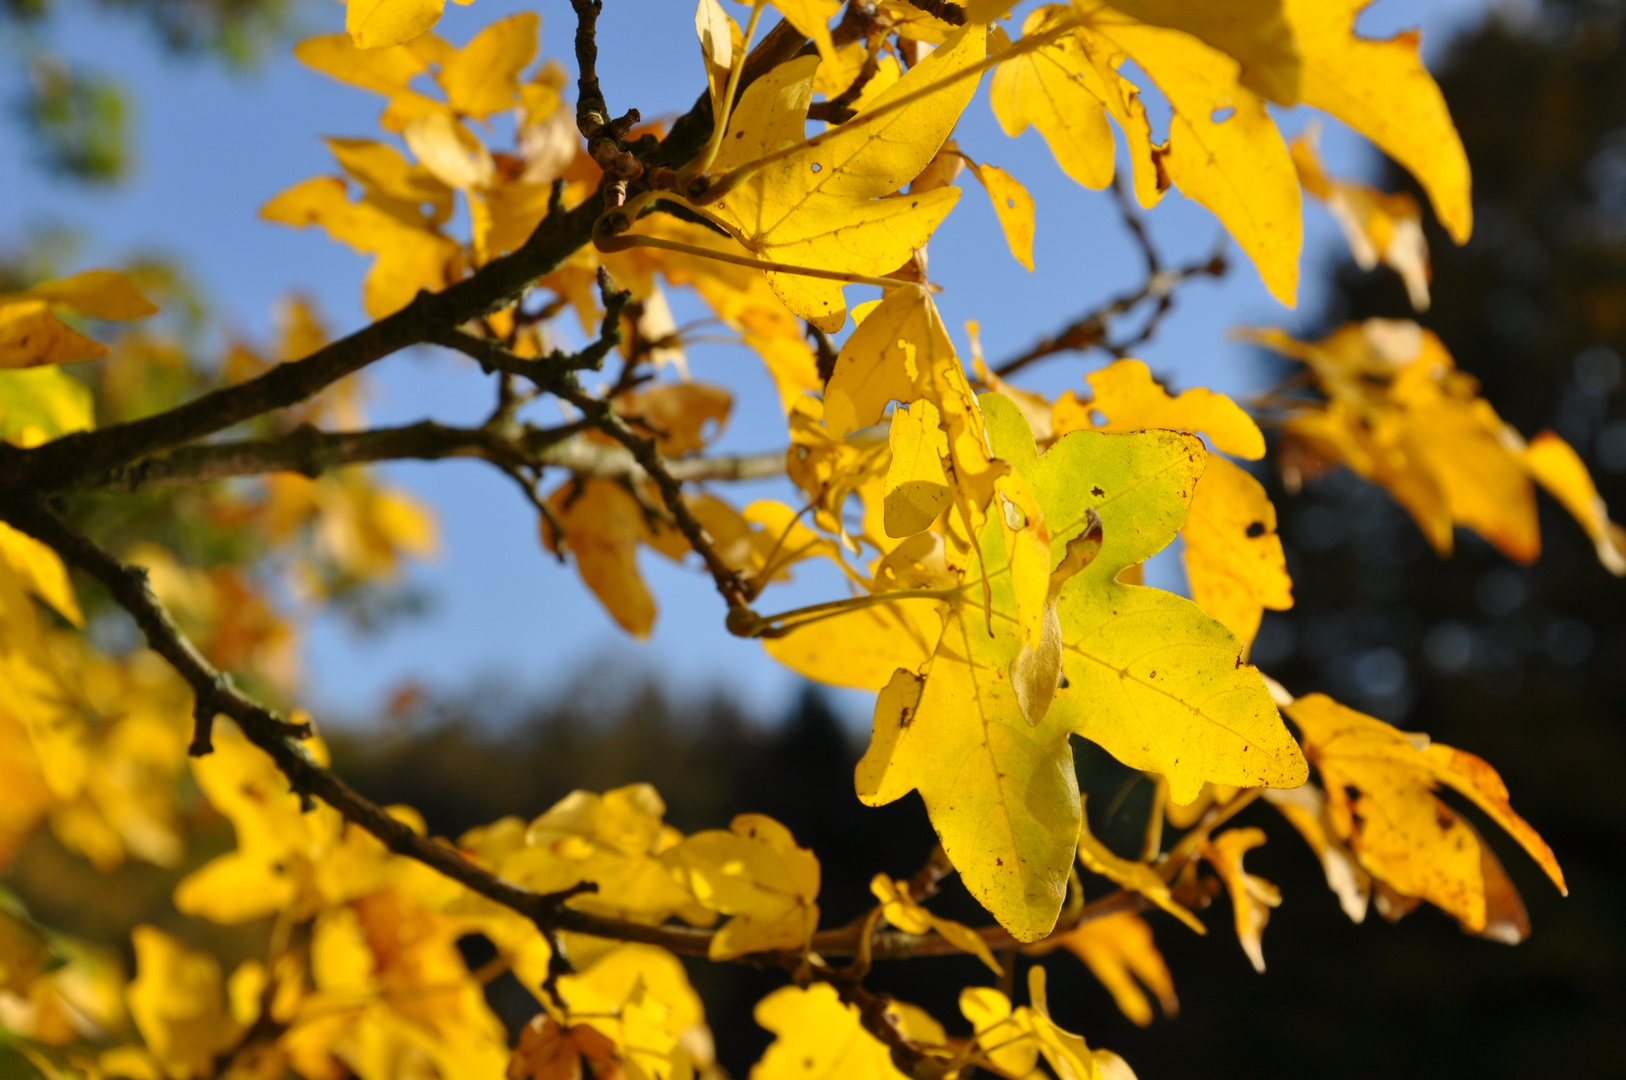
(212, 147)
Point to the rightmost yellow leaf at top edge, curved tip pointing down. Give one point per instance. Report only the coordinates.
(1383, 90)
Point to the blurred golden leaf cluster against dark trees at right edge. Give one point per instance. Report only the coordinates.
(1401, 414)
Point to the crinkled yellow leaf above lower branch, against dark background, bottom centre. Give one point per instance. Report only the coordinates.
(757, 874)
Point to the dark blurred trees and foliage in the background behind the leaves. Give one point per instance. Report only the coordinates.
(1523, 666)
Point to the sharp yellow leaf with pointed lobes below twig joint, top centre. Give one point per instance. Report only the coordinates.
(820, 206)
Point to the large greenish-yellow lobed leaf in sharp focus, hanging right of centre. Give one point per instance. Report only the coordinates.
(1149, 676)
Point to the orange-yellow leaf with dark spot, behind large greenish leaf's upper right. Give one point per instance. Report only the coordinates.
(1233, 555)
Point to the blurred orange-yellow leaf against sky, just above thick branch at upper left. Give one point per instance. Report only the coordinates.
(409, 259)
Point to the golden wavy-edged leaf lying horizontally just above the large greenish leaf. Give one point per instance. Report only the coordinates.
(1128, 399)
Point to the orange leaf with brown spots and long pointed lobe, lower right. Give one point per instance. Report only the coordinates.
(1380, 790)
